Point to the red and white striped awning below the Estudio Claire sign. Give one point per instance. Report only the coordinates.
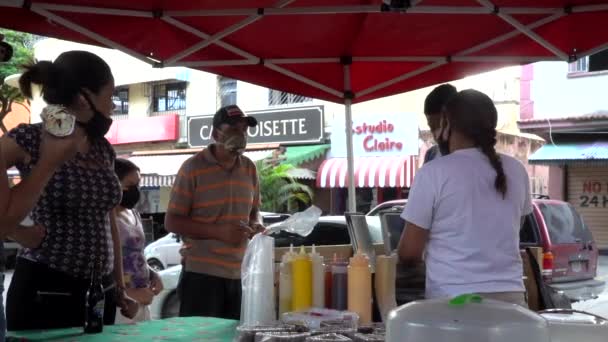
(370, 172)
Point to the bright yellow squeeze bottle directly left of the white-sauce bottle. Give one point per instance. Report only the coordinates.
(301, 271)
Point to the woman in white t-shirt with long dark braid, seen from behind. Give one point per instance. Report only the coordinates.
(465, 209)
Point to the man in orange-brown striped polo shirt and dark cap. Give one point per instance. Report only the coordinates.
(214, 205)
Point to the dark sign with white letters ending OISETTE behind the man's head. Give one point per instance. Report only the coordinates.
(275, 126)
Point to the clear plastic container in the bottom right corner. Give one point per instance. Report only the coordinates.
(574, 326)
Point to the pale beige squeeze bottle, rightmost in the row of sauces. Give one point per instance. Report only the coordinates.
(386, 268)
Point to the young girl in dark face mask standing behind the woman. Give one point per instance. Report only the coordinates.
(142, 282)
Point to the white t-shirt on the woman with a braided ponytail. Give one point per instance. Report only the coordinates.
(473, 243)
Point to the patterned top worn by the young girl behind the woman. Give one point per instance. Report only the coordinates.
(133, 242)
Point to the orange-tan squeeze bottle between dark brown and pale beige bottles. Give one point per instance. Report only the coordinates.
(360, 287)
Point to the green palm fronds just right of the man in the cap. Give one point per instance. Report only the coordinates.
(279, 190)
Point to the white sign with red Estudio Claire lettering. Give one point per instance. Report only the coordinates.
(375, 135)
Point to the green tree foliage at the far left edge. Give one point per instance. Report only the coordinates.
(23, 54)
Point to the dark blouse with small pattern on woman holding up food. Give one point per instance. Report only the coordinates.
(74, 207)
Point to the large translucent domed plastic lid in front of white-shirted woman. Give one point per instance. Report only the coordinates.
(466, 318)
